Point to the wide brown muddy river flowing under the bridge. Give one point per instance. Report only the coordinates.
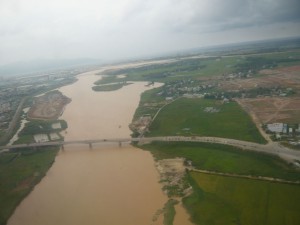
(108, 184)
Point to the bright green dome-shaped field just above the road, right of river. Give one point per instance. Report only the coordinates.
(188, 117)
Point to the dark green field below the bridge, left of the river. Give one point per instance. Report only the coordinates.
(20, 171)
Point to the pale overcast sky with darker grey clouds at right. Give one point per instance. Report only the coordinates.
(120, 29)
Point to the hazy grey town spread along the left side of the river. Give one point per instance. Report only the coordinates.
(17, 91)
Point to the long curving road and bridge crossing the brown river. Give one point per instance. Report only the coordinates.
(271, 148)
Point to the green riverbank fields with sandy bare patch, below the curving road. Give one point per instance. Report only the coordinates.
(214, 167)
